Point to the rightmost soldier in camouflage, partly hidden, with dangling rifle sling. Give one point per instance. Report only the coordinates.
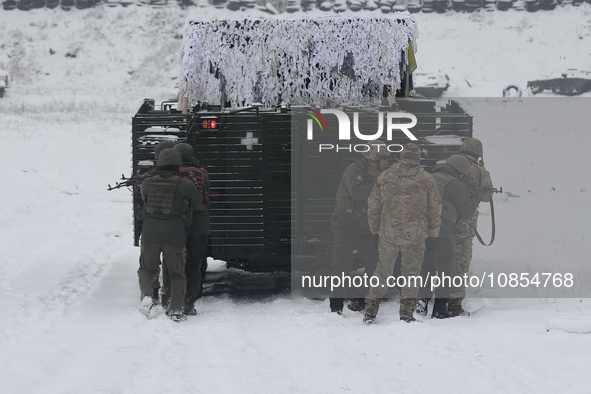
(465, 229)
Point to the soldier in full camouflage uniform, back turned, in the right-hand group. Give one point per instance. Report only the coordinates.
(404, 208)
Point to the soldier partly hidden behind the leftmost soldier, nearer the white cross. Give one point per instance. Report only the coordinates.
(197, 231)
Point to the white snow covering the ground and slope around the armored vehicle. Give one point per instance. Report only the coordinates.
(68, 283)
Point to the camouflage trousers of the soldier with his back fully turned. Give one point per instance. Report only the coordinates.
(410, 268)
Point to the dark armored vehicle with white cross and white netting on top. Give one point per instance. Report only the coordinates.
(253, 102)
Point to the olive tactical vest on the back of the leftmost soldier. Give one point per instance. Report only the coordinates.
(161, 195)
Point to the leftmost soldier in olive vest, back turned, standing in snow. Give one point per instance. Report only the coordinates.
(168, 201)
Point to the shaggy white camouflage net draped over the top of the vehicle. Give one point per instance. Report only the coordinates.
(276, 60)
